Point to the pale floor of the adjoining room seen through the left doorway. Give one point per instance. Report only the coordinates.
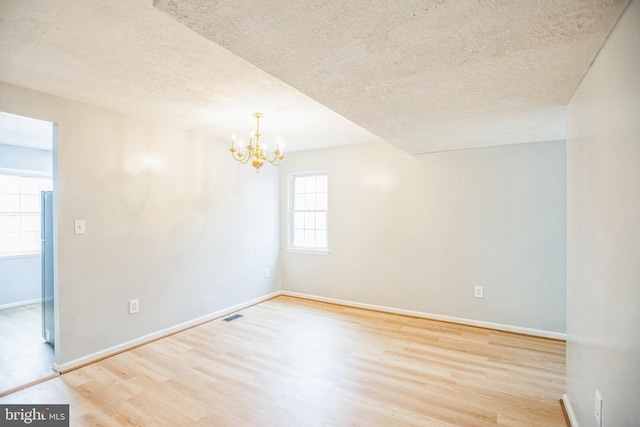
(24, 356)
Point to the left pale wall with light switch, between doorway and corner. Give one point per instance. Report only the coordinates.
(171, 219)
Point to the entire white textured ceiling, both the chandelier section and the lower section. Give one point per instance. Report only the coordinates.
(426, 75)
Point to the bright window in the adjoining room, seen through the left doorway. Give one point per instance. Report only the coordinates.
(20, 212)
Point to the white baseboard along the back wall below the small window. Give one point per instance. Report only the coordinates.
(451, 319)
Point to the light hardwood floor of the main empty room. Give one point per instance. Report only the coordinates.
(294, 362)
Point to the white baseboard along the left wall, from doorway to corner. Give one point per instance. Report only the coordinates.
(111, 351)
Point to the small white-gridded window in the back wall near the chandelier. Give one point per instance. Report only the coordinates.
(308, 205)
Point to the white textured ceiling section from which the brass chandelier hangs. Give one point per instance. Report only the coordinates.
(128, 56)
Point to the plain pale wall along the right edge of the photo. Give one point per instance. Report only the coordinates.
(603, 273)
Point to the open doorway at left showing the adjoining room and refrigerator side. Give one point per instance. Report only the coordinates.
(26, 304)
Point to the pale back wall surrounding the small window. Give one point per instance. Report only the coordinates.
(418, 232)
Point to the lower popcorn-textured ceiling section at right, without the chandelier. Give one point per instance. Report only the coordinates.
(423, 75)
